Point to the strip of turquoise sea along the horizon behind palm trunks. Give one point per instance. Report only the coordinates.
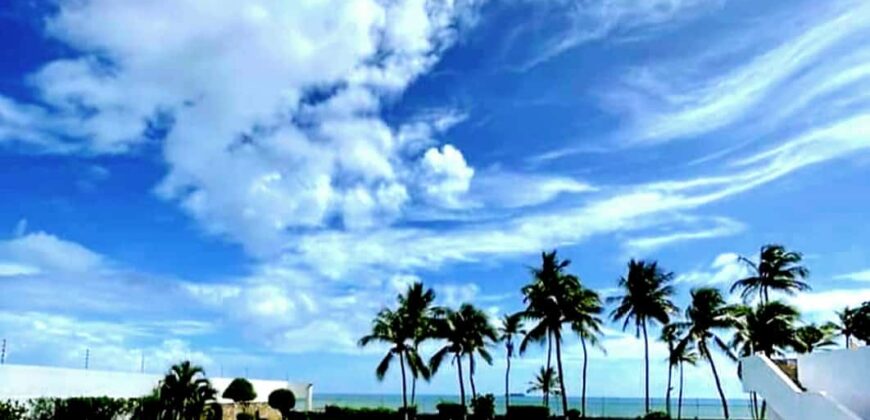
(702, 408)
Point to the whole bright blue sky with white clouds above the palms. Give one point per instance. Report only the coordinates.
(246, 183)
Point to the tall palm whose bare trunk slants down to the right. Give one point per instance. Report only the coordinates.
(705, 316)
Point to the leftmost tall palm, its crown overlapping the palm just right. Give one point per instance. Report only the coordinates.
(389, 327)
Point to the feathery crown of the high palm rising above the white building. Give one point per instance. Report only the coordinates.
(777, 269)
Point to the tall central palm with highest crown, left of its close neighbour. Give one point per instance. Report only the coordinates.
(547, 298)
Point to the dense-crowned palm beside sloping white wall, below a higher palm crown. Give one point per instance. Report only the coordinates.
(764, 329)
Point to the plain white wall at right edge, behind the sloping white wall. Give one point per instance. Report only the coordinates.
(844, 375)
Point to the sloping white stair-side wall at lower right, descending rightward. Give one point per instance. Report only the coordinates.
(785, 398)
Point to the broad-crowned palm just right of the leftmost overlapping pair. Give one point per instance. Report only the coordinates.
(466, 332)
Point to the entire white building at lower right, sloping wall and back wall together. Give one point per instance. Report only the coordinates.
(832, 385)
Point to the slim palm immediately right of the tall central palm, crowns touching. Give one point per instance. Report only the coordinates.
(583, 313)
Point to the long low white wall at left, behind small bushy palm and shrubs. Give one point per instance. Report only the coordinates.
(22, 382)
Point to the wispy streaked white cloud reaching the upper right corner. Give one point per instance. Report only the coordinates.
(685, 100)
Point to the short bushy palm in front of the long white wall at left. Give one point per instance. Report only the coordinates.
(184, 392)
